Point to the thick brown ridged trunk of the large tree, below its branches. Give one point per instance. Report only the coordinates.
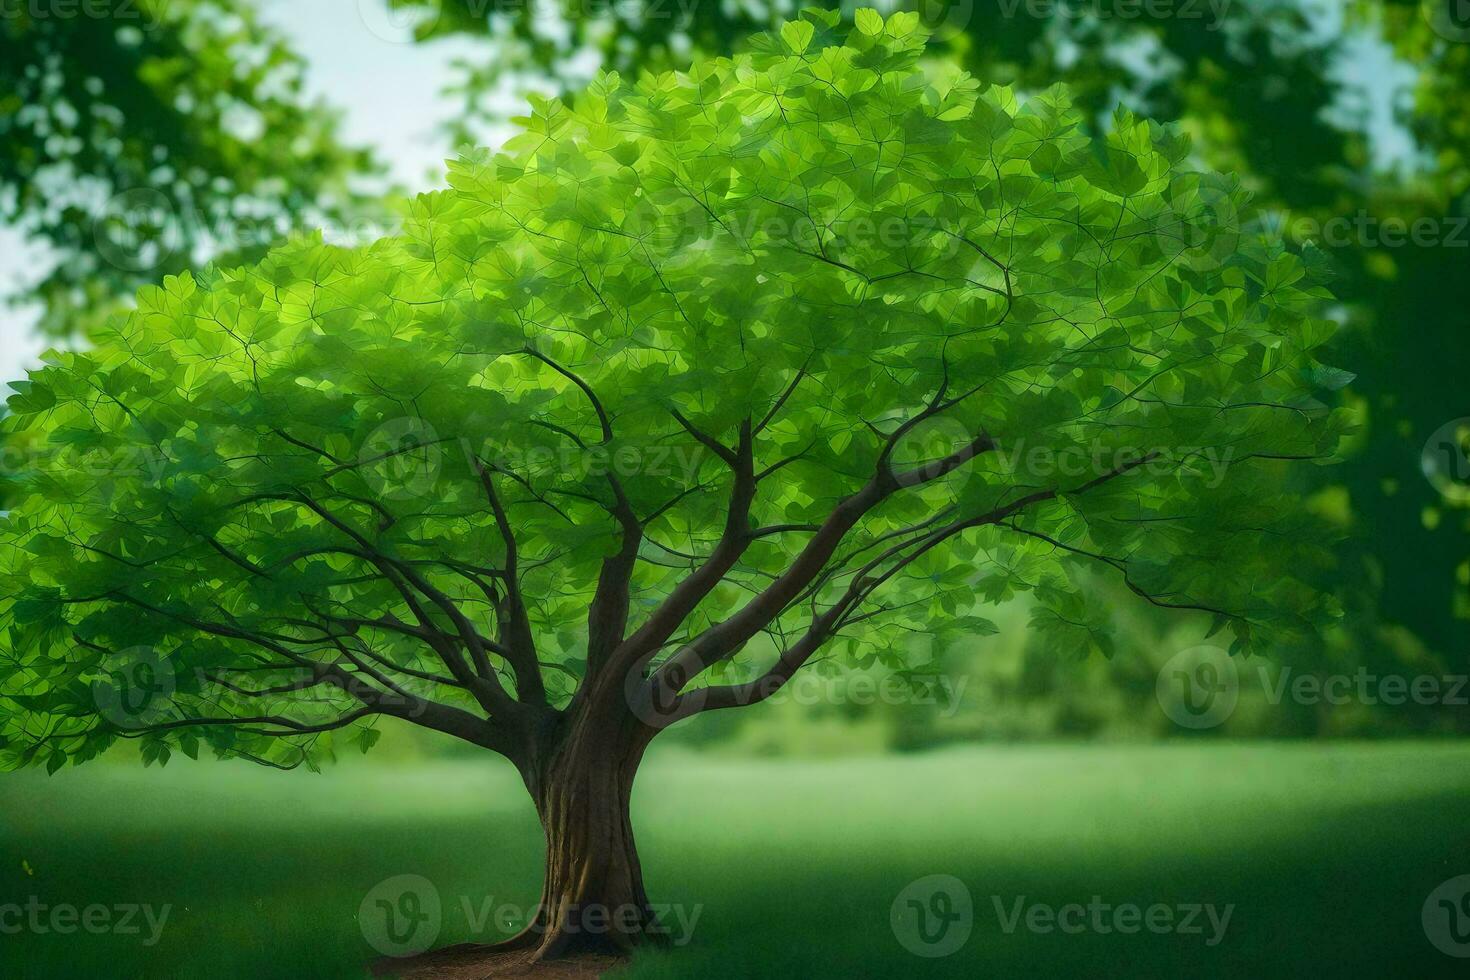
(593, 901)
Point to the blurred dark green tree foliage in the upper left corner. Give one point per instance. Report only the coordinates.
(133, 145)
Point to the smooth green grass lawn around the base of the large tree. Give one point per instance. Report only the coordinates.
(1327, 853)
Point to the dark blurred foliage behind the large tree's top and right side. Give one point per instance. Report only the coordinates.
(1280, 93)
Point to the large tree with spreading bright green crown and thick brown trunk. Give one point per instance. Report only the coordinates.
(703, 380)
